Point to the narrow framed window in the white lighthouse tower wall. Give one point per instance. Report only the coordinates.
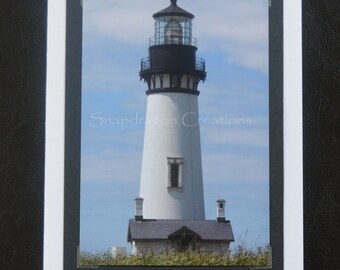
(175, 173)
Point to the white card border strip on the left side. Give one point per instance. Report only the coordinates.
(55, 136)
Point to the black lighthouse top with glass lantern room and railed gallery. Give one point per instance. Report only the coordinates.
(172, 64)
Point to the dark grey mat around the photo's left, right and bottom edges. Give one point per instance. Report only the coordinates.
(73, 128)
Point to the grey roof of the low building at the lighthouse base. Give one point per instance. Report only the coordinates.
(208, 230)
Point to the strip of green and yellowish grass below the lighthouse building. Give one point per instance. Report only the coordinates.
(241, 256)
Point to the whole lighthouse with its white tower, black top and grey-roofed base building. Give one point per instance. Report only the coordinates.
(170, 206)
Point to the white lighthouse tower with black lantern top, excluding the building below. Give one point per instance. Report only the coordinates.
(171, 179)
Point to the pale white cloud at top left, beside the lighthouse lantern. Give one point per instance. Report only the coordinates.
(125, 20)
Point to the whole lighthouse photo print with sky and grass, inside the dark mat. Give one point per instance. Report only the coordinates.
(175, 133)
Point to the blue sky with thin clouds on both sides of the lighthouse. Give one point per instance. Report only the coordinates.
(233, 39)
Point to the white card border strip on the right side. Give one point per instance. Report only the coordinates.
(293, 148)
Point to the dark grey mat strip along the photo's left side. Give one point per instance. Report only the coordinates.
(72, 132)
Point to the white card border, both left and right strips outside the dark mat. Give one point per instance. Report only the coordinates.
(55, 137)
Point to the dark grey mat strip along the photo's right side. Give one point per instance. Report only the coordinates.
(276, 140)
